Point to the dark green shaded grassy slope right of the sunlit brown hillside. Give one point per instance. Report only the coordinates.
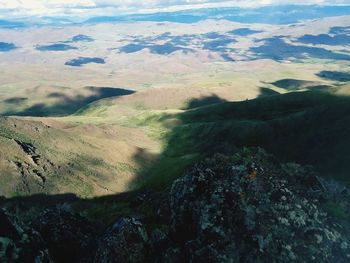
(307, 127)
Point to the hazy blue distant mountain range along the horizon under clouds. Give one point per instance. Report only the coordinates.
(281, 14)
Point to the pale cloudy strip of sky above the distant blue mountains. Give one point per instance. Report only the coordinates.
(28, 8)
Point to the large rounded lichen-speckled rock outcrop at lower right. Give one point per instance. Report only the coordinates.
(248, 208)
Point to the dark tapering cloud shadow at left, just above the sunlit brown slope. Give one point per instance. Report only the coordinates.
(67, 105)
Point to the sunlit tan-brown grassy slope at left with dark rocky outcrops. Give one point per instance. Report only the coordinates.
(82, 159)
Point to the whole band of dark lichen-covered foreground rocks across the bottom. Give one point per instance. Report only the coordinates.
(243, 208)
